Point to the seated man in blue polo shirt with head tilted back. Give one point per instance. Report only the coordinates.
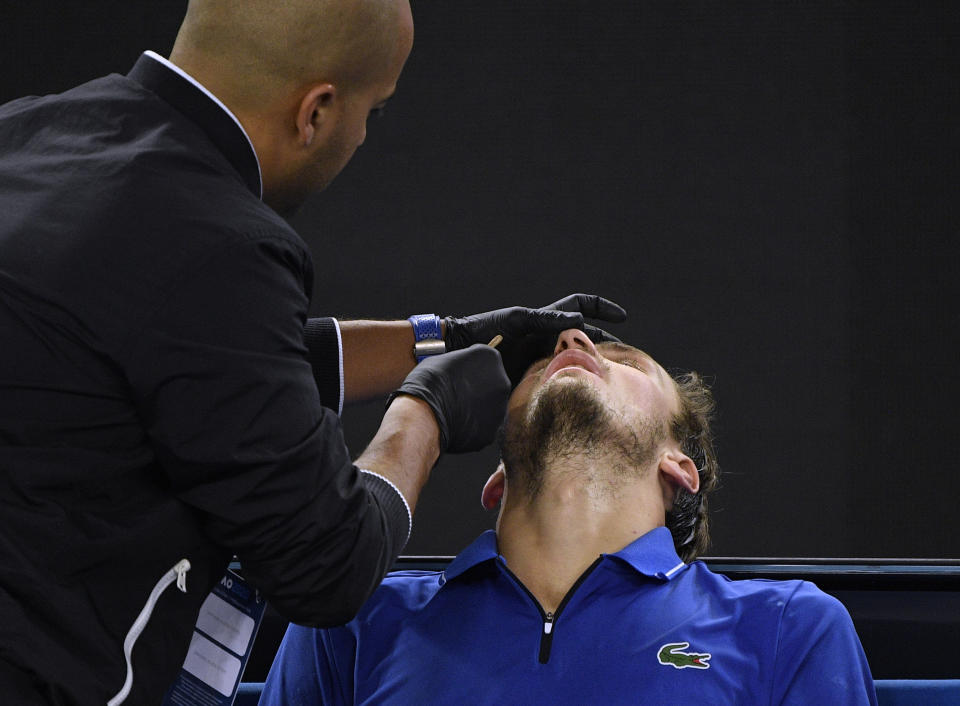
(587, 593)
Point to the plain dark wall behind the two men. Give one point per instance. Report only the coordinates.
(768, 187)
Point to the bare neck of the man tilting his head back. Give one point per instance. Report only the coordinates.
(581, 512)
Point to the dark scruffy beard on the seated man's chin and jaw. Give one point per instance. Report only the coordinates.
(568, 419)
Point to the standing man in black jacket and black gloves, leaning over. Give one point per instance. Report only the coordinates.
(164, 401)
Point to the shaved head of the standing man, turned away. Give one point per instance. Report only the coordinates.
(301, 76)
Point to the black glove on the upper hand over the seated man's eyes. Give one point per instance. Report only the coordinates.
(531, 334)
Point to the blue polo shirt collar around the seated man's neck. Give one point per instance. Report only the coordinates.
(652, 555)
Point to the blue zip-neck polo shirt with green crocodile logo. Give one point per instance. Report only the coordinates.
(640, 626)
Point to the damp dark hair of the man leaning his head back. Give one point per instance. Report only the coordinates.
(688, 521)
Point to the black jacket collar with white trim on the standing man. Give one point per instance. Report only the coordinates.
(190, 97)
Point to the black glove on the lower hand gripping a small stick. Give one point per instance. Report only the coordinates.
(467, 391)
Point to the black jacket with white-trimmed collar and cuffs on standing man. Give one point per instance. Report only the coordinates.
(157, 399)
